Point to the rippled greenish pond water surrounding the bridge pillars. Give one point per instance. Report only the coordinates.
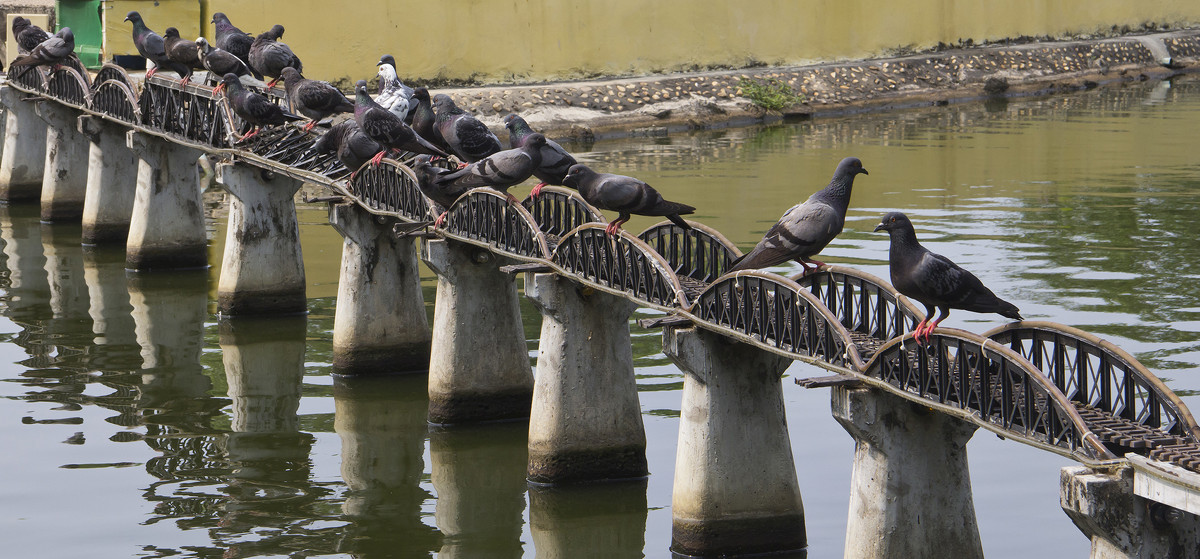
(135, 424)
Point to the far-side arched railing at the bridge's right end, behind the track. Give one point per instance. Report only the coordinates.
(1161, 410)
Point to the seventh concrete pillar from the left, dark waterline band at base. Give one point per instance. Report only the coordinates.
(479, 365)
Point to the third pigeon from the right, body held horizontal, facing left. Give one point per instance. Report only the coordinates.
(623, 195)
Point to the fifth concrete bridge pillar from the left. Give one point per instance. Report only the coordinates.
(262, 272)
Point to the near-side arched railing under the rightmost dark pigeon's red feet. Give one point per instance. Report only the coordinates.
(1007, 404)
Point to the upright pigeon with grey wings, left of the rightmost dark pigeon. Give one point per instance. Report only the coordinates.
(808, 227)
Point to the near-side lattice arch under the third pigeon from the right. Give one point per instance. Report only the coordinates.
(620, 263)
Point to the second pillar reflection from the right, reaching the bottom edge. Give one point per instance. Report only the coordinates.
(479, 474)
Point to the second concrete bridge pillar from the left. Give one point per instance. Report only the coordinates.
(65, 181)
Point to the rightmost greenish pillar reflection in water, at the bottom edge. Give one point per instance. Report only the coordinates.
(598, 521)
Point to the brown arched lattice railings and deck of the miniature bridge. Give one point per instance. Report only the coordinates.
(1045, 384)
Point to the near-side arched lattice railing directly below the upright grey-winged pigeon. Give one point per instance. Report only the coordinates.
(775, 311)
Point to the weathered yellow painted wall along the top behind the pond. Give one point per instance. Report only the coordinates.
(538, 40)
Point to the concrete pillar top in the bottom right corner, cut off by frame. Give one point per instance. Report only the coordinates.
(1121, 525)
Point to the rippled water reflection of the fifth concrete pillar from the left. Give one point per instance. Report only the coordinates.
(268, 455)
